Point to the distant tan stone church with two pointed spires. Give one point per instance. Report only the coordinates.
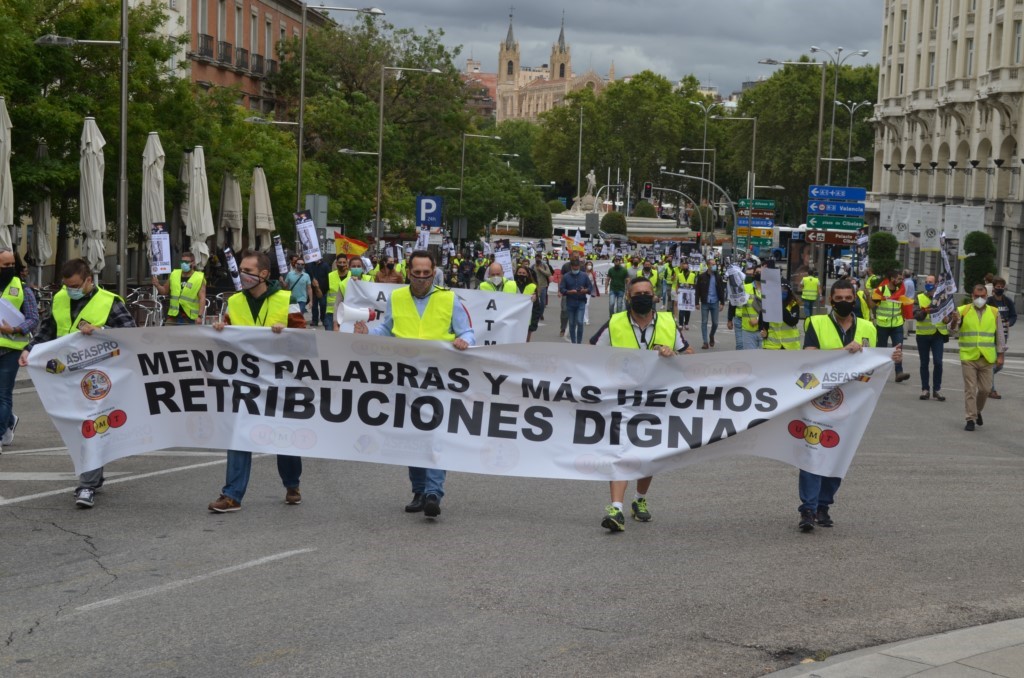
(526, 93)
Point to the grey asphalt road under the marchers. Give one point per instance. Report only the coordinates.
(517, 578)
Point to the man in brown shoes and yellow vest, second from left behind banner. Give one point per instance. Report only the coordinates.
(262, 304)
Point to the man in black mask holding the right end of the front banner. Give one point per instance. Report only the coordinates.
(840, 330)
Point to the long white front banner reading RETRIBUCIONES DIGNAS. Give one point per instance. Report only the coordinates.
(542, 410)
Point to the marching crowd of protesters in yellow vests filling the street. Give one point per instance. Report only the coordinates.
(651, 307)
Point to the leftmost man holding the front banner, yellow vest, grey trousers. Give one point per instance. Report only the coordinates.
(81, 307)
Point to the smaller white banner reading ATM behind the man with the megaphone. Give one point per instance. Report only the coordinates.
(498, 318)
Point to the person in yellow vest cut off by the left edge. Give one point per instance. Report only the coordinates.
(14, 340)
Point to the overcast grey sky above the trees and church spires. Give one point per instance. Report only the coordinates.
(720, 41)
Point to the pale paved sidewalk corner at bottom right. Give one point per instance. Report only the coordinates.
(993, 650)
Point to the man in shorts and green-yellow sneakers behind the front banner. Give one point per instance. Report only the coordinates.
(638, 328)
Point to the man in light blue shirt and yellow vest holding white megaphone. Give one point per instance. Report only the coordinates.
(421, 311)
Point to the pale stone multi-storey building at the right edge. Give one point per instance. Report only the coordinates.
(950, 115)
